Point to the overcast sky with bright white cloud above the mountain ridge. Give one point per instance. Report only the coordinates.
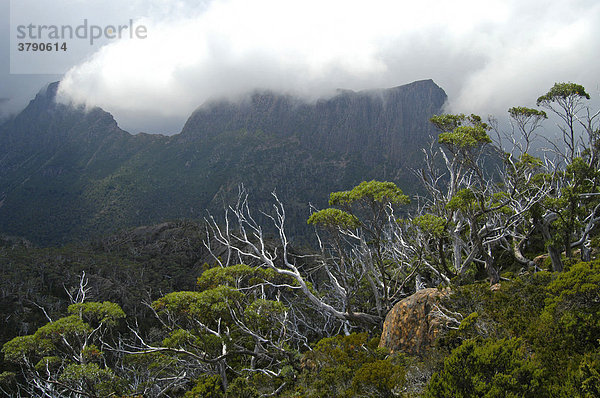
(487, 55)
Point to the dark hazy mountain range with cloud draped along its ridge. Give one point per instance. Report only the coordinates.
(68, 173)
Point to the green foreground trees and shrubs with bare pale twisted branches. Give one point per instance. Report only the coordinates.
(516, 245)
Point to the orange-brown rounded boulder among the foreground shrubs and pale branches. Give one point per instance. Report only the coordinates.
(414, 324)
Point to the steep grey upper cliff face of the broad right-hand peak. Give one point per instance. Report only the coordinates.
(378, 125)
